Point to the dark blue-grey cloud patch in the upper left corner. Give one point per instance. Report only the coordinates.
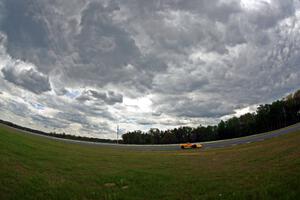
(27, 34)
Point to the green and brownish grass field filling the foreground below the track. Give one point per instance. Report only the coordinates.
(33, 167)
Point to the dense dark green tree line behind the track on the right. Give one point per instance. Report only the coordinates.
(267, 117)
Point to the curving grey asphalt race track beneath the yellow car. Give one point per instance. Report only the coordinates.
(170, 147)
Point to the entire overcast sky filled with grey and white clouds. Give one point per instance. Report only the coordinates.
(84, 66)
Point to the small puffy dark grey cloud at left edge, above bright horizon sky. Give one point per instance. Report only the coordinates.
(29, 79)
